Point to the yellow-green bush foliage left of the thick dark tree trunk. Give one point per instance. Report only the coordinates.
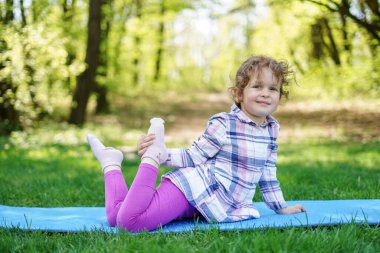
(35, 64)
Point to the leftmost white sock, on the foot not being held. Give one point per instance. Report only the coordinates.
(109, 158)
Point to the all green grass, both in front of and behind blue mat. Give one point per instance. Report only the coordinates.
(49, 173)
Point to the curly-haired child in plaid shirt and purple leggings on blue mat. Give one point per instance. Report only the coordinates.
(217, 176)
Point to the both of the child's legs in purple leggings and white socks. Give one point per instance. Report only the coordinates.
(142, 207)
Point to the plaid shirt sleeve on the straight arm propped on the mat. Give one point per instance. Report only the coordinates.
(269, 185)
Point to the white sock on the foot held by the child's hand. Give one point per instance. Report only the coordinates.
(157, 151)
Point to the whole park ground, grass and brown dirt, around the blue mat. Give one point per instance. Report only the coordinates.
(328, 150)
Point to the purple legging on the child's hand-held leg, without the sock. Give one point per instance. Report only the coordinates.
(147, 208)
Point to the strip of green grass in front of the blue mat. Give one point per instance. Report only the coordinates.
(347, 238)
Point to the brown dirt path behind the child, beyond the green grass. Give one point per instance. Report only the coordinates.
(186, 117)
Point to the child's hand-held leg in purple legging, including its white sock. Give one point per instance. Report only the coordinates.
(145, 207)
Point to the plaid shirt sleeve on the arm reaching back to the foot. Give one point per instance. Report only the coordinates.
(204, 148)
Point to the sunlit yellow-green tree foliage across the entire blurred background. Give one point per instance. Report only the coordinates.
(202, 45)
